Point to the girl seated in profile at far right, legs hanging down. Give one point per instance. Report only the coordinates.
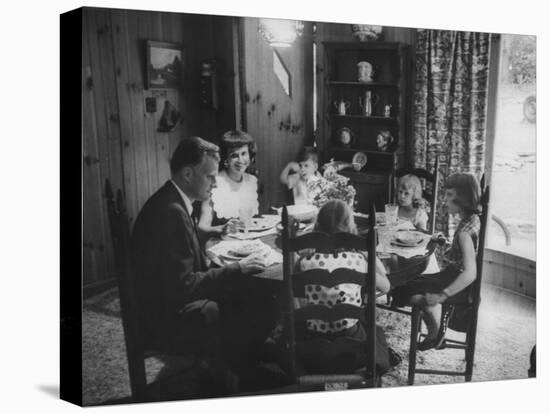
(462, 195)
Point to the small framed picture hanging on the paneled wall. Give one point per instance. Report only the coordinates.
(164, 66)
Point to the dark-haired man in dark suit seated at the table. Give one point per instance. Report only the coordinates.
(179, 295)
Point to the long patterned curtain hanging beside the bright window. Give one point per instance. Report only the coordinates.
(450, 105)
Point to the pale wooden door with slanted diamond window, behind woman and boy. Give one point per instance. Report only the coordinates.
(280, 123)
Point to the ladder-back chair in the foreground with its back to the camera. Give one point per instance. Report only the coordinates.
(296, 281)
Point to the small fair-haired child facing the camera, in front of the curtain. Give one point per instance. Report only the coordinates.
(410, 201)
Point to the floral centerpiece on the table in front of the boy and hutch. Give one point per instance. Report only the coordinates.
(333, 186)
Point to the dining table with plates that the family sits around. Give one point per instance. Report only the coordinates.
(399, 269)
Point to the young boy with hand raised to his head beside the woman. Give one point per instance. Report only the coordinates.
(302, 176)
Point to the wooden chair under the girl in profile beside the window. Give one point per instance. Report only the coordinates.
(467, 301)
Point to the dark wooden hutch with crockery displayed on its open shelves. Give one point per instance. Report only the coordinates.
(364, 97)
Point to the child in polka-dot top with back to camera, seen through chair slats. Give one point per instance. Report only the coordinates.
(337, 216)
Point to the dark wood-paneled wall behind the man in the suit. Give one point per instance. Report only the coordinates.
(121, 141)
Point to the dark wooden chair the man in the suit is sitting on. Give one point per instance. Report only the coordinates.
(167, 387)
